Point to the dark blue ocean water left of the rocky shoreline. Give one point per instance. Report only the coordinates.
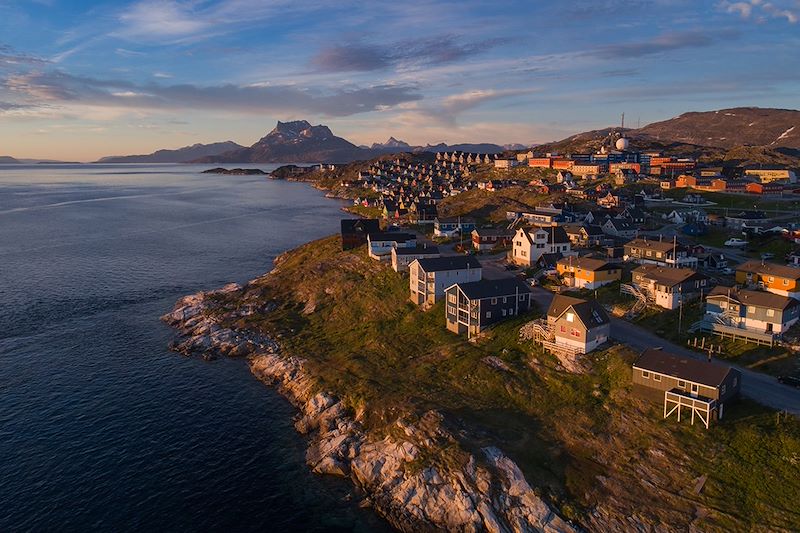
(101, 427)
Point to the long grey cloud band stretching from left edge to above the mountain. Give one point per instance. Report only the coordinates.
(62, 88)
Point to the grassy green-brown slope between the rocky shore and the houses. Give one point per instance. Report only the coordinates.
(582, 439)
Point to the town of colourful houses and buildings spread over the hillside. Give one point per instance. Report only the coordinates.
(700, 261)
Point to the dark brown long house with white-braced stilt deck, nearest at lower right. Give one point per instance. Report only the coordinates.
(702, 387)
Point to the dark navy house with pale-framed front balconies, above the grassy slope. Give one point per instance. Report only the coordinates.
(472, 307)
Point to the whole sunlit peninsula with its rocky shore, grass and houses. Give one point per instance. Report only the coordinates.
(511, 426)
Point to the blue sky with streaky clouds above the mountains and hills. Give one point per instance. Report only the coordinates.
(80, 79)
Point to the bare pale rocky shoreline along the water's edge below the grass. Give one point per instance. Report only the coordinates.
(403, 475)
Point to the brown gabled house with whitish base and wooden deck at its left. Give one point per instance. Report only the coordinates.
(582, 325)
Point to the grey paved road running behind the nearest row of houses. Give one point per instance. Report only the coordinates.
(759, 387)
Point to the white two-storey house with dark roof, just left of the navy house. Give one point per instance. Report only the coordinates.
(429, 277)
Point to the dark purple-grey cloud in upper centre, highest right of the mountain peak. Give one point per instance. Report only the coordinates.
(359, 56)
